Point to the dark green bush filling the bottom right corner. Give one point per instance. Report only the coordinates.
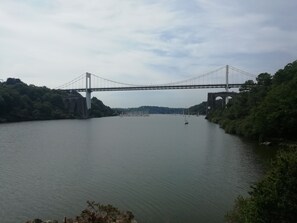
(274, 198)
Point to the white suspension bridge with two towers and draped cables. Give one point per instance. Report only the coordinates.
(224, 77)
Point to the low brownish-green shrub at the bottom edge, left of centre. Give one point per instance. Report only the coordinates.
(95, 212)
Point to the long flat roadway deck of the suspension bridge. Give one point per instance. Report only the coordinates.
(156, 87)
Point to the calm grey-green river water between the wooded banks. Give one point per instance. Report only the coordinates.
(156, 167)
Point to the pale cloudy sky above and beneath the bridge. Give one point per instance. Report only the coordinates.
(51, 42)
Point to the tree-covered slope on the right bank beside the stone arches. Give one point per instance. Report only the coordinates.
(265, 110)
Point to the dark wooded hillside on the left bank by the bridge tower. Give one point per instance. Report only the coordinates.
(22, 102)
